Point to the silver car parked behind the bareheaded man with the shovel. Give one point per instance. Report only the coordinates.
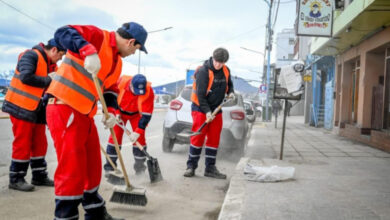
(178, 122)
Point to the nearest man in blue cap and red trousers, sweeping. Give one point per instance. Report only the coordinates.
(72, 105)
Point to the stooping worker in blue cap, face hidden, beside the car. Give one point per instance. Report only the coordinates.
(135, 104)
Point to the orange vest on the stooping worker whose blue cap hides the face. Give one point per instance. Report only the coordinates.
(123, 84)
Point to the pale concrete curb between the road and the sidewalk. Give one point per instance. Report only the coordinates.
(234, 199)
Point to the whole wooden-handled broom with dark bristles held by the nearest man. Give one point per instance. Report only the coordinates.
(129, 194)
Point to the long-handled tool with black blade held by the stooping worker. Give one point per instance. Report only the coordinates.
(153, 166)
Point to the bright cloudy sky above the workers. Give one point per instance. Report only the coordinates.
(198, 27)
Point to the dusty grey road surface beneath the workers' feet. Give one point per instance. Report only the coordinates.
(176, 197)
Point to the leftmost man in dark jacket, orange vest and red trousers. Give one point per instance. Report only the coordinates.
(25, 105)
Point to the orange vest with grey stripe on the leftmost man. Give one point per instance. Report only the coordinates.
(25, 96)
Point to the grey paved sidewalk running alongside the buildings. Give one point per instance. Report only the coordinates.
(335, 178)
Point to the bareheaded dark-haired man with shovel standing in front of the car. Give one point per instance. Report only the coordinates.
(212, 83)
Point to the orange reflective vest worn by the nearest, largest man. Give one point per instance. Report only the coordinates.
(74, 85)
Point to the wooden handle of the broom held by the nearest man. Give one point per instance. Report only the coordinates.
(105, 111)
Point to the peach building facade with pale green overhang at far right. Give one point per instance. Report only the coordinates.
(360, 46)
